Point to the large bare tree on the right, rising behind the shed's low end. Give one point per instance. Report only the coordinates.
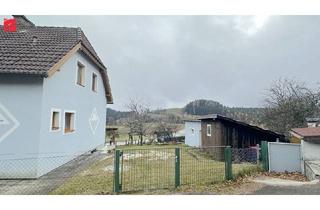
(288, 104)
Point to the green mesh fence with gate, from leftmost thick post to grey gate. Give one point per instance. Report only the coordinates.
(159, 168)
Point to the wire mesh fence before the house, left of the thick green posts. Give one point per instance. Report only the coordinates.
(54, 174)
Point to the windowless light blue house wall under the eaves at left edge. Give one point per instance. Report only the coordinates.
(20, 105)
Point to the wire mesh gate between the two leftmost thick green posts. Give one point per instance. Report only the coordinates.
(147, 169)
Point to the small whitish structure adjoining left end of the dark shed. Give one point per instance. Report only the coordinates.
(193, 133)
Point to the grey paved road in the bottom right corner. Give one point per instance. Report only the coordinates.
(289, 190)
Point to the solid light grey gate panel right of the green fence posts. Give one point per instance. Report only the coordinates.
(284, 157)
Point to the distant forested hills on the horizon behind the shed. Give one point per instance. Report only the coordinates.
(193, 110)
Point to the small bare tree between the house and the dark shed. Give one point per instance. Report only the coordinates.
(138, 120)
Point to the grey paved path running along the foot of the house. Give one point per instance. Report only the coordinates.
(50, 181)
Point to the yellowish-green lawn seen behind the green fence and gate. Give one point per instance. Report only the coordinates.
(151, 167)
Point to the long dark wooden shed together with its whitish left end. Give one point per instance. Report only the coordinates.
(217, 130)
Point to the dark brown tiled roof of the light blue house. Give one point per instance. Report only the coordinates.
(34, 50)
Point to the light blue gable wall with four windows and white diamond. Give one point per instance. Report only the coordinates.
(61, 92)
